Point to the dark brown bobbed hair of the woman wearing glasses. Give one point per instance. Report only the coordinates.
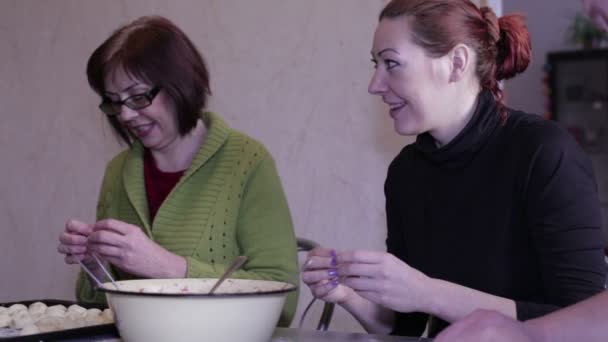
(152, 49)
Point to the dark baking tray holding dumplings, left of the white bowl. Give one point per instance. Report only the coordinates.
(106, 330)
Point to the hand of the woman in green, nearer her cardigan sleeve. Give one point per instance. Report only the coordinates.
(127, 247)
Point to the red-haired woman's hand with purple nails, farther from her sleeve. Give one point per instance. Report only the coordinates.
(319, 273)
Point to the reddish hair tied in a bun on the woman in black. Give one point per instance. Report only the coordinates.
(502, 45)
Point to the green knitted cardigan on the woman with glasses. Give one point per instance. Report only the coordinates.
(229, 202)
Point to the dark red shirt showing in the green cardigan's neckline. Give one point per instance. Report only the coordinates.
(158, 183)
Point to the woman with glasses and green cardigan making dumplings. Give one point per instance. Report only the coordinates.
(190, 193)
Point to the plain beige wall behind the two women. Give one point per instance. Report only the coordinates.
(291, 73)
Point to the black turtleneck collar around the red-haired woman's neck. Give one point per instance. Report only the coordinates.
(469, 141)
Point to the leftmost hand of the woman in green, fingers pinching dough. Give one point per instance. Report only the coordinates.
(73, 243)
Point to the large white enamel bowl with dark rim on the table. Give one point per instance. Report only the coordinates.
(241, 310)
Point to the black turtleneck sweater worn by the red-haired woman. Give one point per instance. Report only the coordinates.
(508, 208)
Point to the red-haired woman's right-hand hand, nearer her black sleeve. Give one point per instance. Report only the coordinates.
(385, 280)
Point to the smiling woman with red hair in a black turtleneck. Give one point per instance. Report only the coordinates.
(490, 208)
